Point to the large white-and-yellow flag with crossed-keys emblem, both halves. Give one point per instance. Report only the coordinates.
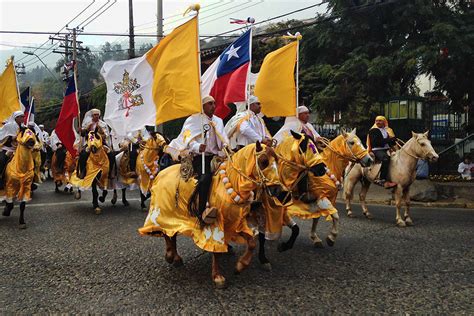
(162, 85)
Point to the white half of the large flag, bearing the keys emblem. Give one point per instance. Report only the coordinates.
(129, 106)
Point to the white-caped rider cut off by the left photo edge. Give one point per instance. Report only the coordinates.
(8, 135)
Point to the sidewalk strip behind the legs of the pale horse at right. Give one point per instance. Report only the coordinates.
(379, 195)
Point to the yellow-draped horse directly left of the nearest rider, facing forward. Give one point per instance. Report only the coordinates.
(148, 164)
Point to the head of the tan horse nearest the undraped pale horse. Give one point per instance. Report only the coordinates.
(349, 146)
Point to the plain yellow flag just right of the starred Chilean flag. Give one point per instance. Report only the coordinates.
(275, 86)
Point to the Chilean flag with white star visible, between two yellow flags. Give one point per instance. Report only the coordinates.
(226, 78)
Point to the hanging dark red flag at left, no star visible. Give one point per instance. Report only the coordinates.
(69, 110)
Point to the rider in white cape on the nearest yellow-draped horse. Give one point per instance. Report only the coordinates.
(190, 139)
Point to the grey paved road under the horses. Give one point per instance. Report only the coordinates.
(71, 260)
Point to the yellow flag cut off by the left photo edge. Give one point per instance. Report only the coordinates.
(9, 98)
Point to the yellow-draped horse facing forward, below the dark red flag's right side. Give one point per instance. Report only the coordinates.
(97, 170)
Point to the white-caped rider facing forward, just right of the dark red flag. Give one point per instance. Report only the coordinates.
(90, 123)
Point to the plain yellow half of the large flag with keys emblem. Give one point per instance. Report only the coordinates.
(176, 77)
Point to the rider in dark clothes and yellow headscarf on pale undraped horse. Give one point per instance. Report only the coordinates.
(380, 139)
